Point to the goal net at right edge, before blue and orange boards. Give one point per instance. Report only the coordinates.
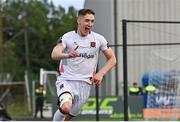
(164, 102)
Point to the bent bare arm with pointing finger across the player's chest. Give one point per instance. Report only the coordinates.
(58, 53)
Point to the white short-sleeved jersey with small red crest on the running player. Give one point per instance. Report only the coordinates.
(82, 67)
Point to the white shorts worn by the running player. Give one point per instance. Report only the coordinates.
(80, 91)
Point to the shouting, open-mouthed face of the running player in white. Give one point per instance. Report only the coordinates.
(85, 24)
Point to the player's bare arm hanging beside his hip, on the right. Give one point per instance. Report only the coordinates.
(111, 61)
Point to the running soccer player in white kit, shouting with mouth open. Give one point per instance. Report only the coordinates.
(79, 50)
